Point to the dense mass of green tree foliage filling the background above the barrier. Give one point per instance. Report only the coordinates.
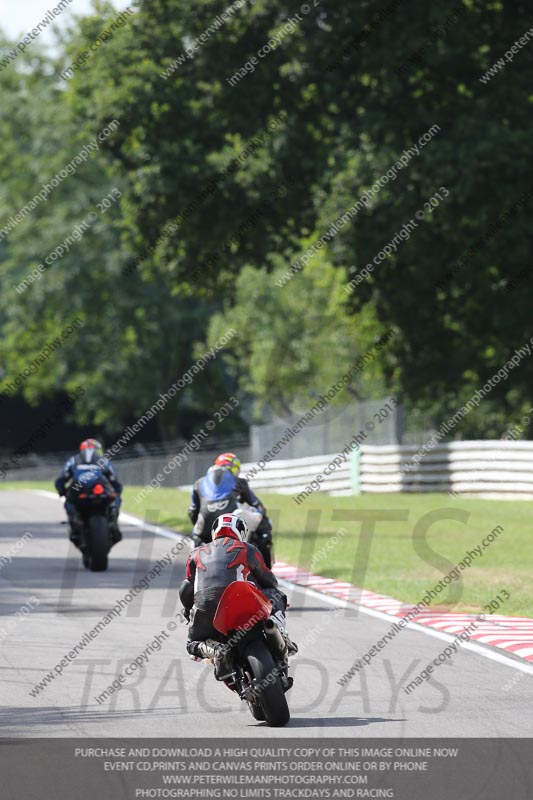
(224, 187)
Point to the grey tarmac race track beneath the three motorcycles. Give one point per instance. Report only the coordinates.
(48, 602)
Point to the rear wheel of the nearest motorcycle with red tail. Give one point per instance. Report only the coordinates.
(271, 697)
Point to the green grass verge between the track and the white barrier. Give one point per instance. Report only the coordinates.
(388, 560)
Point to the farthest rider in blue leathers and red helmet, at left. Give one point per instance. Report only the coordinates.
(84, 466)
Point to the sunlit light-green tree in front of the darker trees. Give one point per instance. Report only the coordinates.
(299, 341)
